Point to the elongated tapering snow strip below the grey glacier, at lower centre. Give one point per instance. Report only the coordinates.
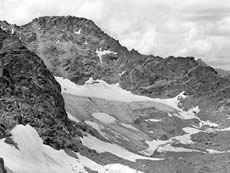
(101, 146)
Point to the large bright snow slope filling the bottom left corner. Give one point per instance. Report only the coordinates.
(33, 156)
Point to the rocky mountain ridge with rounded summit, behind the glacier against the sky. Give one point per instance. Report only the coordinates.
(77, 49)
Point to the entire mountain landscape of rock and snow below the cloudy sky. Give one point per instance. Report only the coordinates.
(74, 100)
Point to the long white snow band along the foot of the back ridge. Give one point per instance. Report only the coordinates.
(113, 92)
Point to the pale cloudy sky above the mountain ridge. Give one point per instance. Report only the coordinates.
(199, 28)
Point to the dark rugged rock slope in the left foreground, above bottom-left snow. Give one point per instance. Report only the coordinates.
(29, 94)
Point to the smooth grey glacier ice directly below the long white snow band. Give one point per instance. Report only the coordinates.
(83, 107)
